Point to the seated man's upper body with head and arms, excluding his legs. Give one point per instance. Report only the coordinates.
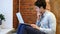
(46, 20)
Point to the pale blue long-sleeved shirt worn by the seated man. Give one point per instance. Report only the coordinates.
(47, 23)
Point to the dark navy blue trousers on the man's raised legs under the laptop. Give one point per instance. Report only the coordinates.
(27, 29)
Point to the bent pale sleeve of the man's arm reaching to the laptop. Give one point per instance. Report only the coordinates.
(52, 25)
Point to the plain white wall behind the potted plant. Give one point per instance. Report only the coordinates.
(6, 8)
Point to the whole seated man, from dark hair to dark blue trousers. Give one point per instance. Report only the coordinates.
(46, 21)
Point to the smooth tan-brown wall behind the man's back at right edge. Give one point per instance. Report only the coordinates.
(55, 8)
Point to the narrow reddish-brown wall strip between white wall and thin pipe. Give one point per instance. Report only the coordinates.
(15, 10)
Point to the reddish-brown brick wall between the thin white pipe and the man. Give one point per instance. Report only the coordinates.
(27, 10)
